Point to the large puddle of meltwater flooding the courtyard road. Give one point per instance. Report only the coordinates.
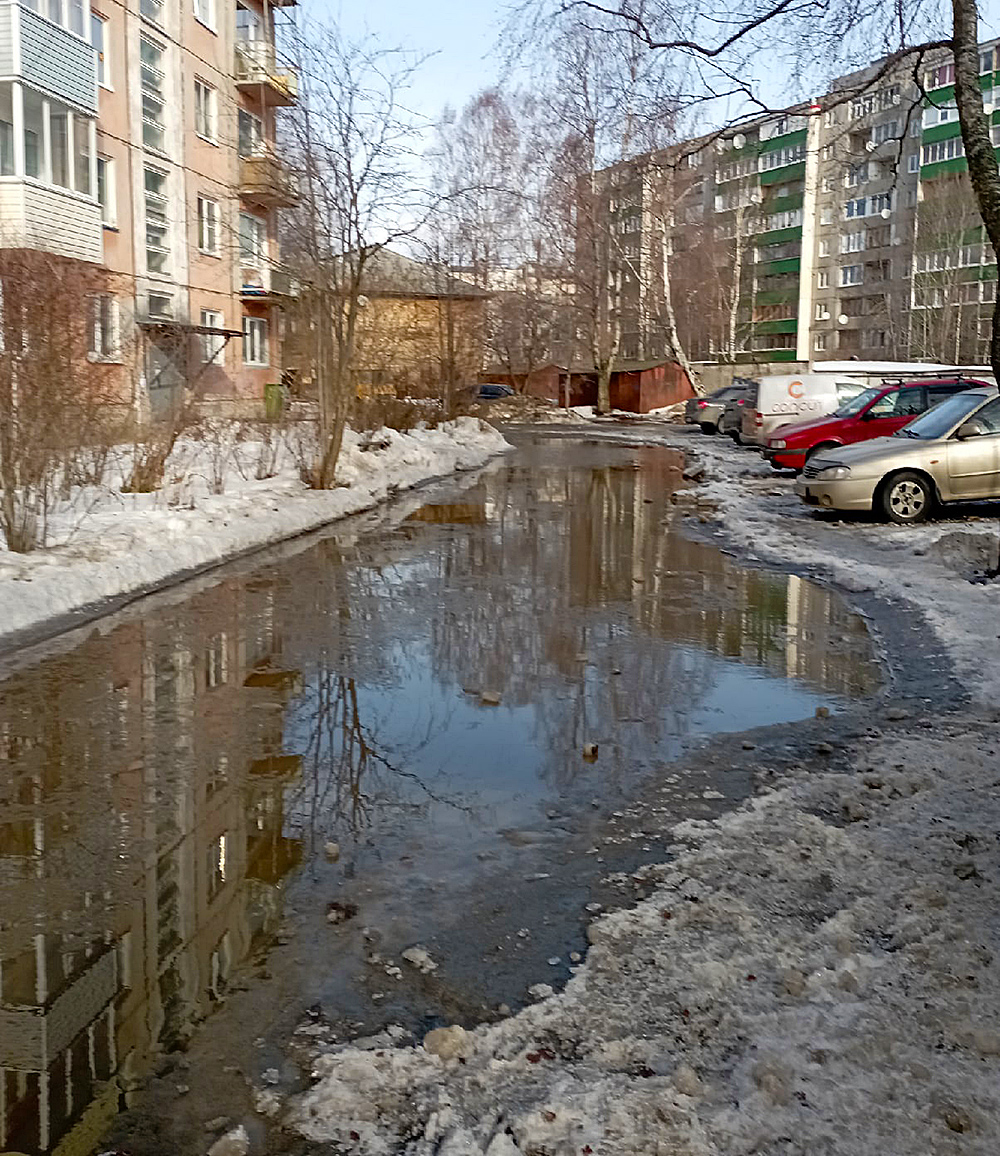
(423, 698)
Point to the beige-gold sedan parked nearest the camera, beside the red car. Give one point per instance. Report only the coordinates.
(951, 454)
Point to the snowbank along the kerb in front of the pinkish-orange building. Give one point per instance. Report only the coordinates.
(109, 544)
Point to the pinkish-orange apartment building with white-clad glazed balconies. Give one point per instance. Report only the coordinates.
(139, 137)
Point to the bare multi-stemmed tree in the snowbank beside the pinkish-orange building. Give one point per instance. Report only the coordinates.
(354, 144)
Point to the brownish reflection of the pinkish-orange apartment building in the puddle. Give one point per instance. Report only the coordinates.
(142, 839)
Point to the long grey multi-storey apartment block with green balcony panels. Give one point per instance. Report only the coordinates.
(843, 229)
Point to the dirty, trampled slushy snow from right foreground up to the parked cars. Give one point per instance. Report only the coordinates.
(816, 974)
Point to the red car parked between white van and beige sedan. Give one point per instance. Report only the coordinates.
(877, 412)
